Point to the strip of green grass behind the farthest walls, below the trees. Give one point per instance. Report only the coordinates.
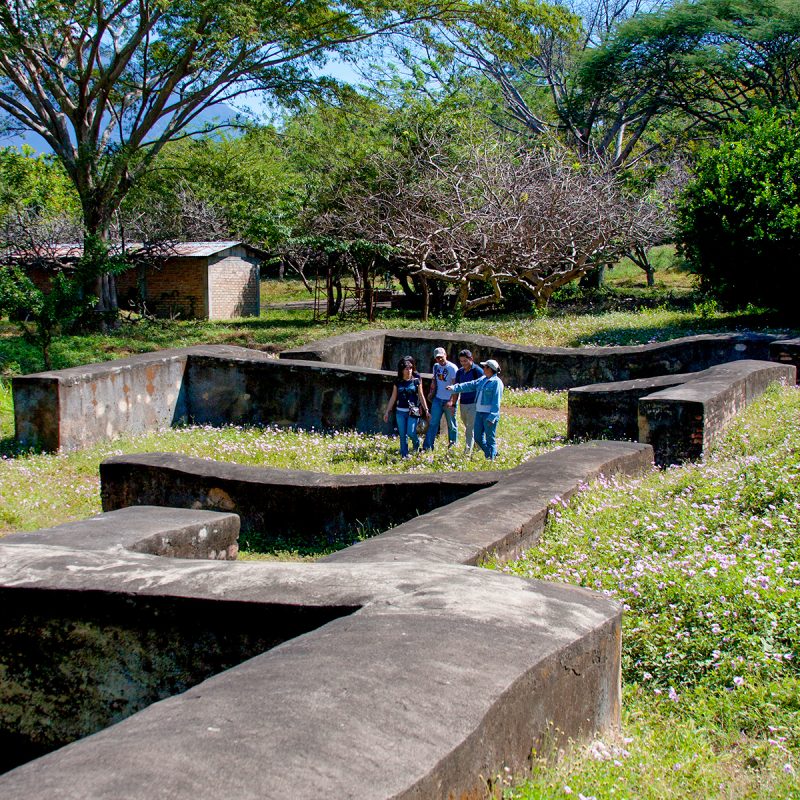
(281, 329)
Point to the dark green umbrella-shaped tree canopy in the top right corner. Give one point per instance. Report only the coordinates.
(713, 60)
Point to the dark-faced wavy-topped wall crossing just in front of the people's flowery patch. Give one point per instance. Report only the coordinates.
(281, 504)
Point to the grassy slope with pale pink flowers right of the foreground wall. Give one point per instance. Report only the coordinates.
(706, 561)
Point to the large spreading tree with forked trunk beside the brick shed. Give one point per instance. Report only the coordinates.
(108, 84)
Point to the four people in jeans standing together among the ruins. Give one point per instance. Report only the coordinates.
(476, 391)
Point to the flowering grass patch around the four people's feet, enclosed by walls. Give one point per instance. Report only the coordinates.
(40, 490)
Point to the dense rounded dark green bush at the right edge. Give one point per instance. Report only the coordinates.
(739, 219)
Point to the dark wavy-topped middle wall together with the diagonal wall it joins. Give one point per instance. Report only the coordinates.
(475, 514)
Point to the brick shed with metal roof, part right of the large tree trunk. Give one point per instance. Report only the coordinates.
(197, 280)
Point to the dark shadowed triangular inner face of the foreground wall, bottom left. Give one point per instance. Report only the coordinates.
(74, 663)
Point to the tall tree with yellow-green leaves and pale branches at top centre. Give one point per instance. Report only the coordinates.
(532, 51)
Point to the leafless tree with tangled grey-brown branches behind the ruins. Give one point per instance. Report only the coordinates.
(492, 218)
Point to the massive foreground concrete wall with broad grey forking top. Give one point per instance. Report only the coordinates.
(442, 676)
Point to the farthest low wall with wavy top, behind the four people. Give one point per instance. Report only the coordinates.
(551, 367)
